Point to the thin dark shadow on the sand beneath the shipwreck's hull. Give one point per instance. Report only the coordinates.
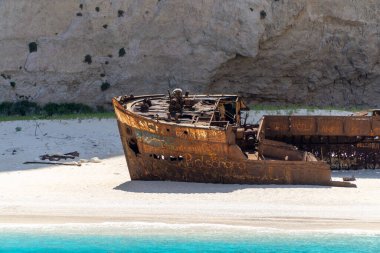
(195, 188)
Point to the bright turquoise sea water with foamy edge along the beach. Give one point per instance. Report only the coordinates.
(190, 239)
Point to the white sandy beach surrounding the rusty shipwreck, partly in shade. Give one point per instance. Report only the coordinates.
(103, 192)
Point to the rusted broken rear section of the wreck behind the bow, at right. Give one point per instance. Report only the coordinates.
(345, 142)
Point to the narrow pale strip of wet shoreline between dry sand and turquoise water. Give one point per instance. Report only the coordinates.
(121, 224)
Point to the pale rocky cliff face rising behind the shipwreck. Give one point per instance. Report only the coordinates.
(275, 51)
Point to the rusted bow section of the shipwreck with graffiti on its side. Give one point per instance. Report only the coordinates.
(208, 148)
